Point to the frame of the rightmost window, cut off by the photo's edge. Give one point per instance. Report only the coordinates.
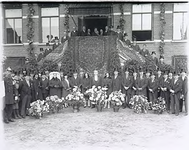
(176, 12)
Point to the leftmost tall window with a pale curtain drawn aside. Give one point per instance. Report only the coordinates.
(13, 25)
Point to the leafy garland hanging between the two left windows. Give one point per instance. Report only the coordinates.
(30, 24)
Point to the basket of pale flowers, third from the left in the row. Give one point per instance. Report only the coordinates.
(75, 99)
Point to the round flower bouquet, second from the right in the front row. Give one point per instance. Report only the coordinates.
(139, 103)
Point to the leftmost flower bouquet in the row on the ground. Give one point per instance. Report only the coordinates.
(37, 108)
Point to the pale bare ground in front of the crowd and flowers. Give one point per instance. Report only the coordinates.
(105, 130)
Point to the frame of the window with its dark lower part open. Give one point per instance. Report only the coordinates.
(152, 19)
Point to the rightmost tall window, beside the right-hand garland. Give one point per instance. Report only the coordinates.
(180, 21)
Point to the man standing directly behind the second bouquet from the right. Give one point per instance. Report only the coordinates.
(141, 83)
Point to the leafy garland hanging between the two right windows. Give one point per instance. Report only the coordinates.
(162, 24)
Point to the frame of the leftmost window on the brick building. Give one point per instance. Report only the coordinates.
(5, 31)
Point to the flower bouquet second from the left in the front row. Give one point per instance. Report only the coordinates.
(55, 103)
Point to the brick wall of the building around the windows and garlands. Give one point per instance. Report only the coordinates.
(171, 48)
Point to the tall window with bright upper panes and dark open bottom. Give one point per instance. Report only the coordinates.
(142, 22)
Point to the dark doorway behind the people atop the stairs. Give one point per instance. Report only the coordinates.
(95, 22)
